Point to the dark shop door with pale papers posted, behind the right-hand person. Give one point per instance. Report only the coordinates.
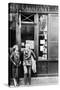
(27, 37)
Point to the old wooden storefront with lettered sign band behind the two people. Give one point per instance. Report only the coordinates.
(37, 26)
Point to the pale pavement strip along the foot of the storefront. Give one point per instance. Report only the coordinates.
(53, 80)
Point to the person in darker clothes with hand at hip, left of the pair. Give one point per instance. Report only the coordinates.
(15, 59)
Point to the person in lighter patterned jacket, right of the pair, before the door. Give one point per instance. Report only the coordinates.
(27, 64)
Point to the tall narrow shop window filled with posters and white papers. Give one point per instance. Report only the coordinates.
(43, 37)
